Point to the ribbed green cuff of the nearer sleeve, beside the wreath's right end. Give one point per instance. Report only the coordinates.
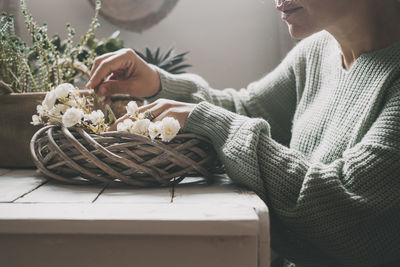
(213, 122)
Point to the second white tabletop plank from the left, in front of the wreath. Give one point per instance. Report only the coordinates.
(56, 192)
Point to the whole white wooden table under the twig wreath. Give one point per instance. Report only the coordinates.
(45, 223)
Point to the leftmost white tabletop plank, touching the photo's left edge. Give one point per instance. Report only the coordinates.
(16, 183)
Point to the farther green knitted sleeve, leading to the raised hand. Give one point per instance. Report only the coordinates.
(273, 97)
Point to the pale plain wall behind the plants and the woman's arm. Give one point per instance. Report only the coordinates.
(232, 42)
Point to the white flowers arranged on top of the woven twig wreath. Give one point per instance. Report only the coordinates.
(66, 105)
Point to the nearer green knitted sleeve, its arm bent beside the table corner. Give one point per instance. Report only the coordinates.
(347, 211)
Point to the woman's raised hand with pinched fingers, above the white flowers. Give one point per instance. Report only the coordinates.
(123, 72)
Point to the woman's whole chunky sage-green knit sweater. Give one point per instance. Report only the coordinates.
(319, 144)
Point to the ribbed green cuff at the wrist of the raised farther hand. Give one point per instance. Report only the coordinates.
(173, 86)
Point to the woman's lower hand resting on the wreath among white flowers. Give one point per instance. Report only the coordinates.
(163, 108)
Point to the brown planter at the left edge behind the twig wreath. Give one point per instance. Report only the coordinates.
(16, 112)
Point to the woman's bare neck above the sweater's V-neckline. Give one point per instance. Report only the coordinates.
(372, 27)
